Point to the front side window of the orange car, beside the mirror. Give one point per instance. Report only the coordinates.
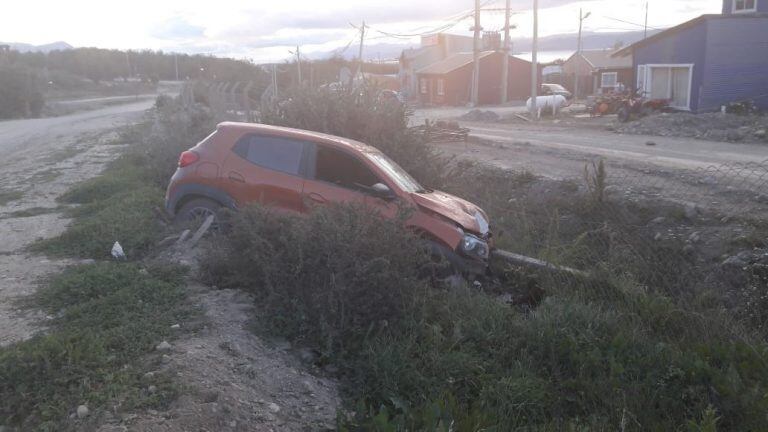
(343, 169)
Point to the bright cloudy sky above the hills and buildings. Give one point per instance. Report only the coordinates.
(264, 31)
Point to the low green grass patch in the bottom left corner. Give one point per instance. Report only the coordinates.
(108, 317)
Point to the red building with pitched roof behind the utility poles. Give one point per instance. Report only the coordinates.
(449, 81)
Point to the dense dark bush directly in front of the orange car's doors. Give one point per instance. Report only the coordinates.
(328, 280)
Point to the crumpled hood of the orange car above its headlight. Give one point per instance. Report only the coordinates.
(469, 216)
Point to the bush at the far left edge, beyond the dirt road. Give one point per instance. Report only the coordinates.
(20, 94)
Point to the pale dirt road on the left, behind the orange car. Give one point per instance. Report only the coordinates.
(41, 159)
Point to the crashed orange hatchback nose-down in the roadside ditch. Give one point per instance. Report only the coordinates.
(291, 169)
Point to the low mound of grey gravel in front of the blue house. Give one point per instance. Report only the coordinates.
(711, 126)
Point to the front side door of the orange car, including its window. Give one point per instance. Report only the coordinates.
(337, 176)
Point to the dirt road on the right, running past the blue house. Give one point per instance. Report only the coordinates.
(727, 177)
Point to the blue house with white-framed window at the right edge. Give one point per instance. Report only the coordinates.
(709, 61)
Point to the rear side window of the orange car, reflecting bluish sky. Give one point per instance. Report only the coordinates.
(275, 153)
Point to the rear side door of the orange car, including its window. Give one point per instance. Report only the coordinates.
(268, 170)
